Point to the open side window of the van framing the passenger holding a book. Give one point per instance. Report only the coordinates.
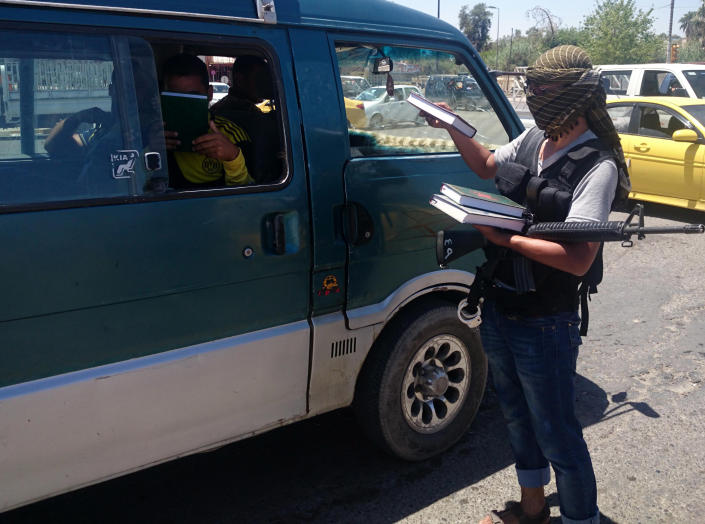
(239, 98)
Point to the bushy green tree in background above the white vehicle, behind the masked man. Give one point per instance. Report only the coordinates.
(618, 33)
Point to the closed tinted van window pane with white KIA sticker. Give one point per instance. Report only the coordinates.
(69, 116)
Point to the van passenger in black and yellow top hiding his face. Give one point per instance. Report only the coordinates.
(217, 159)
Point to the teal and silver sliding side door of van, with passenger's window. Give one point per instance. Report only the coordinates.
(141, 320)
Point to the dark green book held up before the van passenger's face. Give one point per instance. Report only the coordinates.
(186, 114)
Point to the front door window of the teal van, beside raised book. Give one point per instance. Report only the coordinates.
(380, 124)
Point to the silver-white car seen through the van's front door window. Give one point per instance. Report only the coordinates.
(383, 110)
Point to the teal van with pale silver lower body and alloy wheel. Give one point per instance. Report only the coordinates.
(140, 322)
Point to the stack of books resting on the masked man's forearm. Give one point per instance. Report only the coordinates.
(470, 206)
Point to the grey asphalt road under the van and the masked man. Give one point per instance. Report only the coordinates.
(641, 400)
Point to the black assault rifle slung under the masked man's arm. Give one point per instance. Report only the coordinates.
(451, 245)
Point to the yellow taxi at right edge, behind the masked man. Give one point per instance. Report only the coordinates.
(663, 138)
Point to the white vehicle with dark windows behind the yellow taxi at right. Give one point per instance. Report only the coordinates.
(653, 80)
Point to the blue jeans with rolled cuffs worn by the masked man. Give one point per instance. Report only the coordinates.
(532, 360)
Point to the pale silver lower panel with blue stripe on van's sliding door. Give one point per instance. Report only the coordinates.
(67, 431)
